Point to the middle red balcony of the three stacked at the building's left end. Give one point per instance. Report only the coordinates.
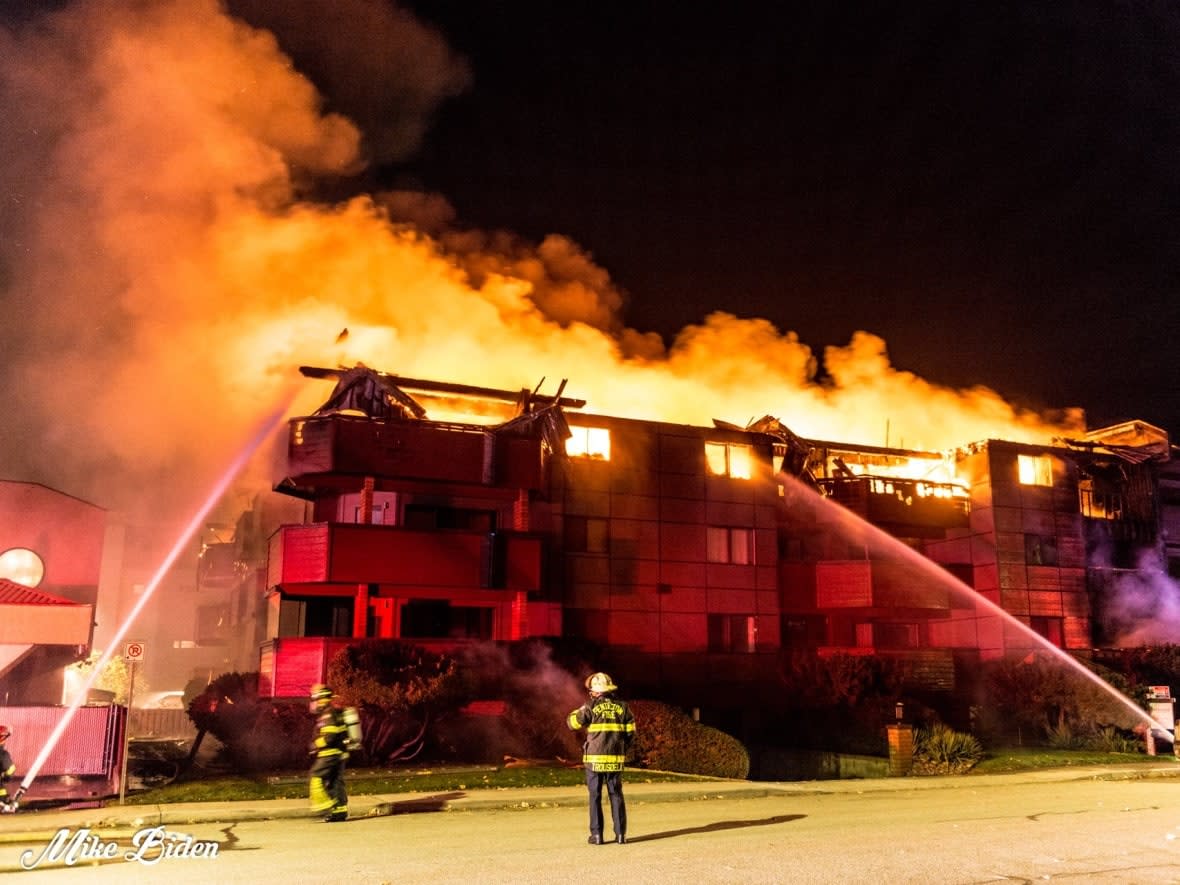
(352, 554)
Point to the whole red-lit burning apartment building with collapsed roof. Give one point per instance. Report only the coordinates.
(696, 558)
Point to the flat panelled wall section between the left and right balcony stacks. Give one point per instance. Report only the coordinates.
(647, 591)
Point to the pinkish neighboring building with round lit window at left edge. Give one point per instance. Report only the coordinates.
(51, 552)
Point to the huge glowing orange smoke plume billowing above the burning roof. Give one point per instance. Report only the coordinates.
(162, 278)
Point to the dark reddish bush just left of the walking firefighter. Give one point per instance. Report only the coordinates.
(258, 735)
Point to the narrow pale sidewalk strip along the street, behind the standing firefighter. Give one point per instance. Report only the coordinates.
(37, 825)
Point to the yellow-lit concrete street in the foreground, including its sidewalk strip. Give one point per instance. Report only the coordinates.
(1073, 825)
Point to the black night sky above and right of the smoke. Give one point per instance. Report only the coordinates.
(991, 188)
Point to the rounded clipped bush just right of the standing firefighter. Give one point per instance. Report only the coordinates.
(667, 739)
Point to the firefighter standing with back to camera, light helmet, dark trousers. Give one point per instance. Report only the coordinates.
(611, 730)
